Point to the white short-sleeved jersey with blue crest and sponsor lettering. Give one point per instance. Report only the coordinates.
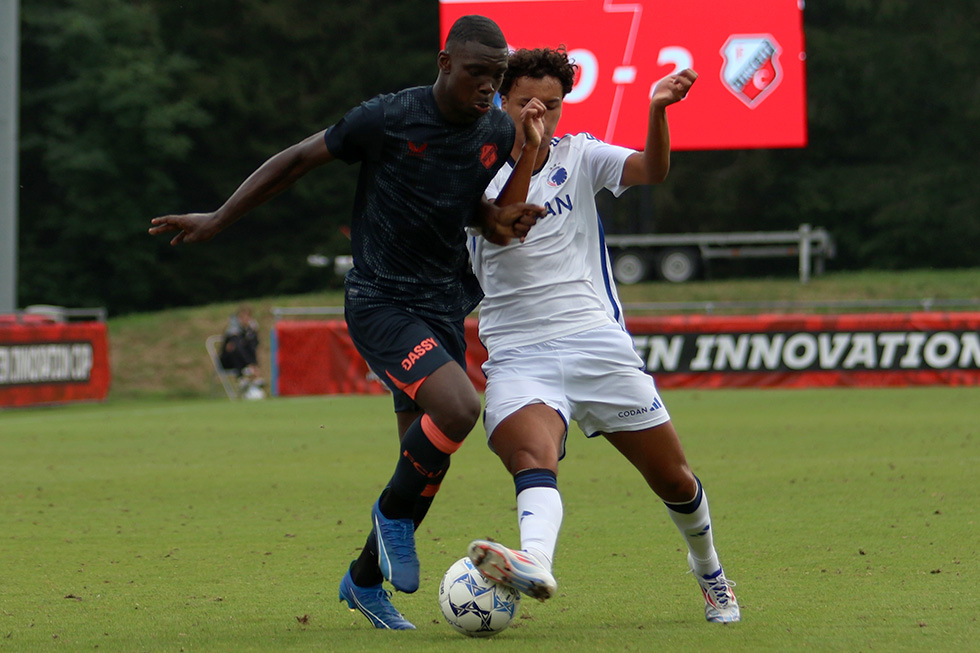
(557, 282)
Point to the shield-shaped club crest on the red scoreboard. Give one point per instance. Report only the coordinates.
(751, 70)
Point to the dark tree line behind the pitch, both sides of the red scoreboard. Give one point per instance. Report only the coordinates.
(131, 109)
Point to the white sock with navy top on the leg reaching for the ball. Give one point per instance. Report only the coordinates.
(539, 513)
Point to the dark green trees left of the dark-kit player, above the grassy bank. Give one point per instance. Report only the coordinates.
(131, 110)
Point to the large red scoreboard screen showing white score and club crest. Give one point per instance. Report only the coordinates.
(749, 56)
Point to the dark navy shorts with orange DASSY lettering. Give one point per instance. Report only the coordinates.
(403, 348)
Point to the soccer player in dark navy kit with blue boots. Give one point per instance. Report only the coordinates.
(426, 155)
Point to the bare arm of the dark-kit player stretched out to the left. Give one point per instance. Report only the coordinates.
(273, 177)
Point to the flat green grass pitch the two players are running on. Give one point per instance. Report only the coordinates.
(848, 518)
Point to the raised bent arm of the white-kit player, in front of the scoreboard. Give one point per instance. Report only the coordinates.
(652, 164)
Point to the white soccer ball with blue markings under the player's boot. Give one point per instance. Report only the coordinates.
(474, 605)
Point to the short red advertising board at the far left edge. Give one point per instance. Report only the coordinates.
(46, 363)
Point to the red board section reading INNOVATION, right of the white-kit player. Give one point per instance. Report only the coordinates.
(797, 351)
